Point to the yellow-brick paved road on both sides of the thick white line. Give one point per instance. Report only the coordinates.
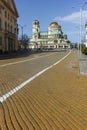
(56, 100)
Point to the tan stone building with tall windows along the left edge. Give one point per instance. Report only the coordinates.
(8, 26)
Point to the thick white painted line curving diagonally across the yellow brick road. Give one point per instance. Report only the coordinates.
(10, 93)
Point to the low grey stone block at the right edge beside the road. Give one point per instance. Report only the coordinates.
(83, 63)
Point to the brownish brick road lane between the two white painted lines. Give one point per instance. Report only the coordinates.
(17, 73)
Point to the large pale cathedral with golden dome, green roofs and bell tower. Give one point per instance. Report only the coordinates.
(53, 38)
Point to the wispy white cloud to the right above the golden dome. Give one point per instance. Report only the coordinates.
(73, 18)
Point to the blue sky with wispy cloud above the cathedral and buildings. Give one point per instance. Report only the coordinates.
(65, 12)
